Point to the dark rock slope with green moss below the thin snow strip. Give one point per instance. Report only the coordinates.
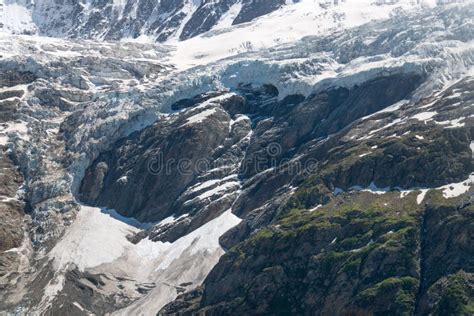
(349, 257)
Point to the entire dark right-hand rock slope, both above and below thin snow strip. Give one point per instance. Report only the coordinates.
(341, 244)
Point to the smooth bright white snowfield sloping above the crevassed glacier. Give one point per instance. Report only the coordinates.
(291, 22)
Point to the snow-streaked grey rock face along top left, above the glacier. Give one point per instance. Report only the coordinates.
(112, 20)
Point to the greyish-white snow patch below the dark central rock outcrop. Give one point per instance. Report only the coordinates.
(97, 242)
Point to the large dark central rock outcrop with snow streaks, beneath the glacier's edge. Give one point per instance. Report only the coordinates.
(230, 134)
